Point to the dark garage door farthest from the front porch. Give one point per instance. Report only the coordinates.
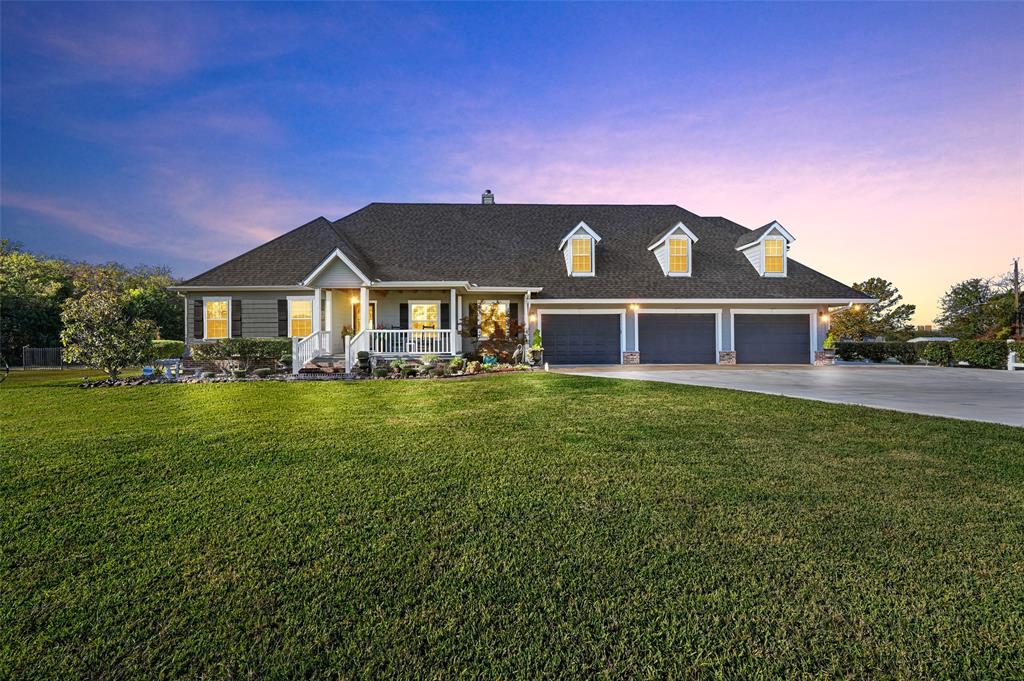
(773, 339)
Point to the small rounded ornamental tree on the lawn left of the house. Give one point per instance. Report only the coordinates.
(100, 332)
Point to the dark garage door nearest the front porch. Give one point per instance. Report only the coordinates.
(581, 339)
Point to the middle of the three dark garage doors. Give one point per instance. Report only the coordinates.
(677, 339)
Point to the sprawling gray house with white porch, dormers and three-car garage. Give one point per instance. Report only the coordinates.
(604, 284)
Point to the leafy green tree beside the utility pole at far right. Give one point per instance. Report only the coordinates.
(977, 309)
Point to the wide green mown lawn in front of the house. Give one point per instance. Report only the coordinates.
(505, 527)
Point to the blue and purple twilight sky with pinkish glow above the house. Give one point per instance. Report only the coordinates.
(888, 139)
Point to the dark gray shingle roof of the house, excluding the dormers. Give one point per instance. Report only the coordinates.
(518, 245)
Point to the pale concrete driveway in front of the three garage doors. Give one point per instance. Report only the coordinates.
(976, 395)
